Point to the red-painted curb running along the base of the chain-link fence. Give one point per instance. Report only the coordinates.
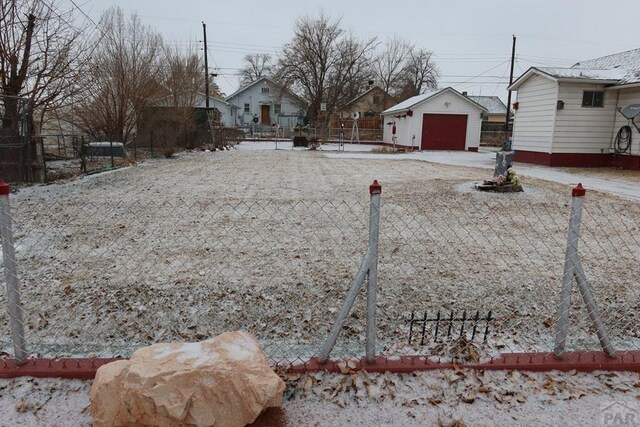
(535, 362)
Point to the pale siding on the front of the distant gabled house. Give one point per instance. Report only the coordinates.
(254, 96)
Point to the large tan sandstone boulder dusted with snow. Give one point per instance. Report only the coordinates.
(224, 381)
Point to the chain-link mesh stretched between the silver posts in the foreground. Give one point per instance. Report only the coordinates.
(102, 278)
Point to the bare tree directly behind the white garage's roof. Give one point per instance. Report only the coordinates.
(419, 74)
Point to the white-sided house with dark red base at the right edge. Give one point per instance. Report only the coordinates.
(572, 116)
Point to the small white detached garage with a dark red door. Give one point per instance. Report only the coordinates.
(440, 120)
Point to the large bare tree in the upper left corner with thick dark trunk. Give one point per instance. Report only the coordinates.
(38, 51)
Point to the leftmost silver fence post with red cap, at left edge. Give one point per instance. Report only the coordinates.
(11, 276)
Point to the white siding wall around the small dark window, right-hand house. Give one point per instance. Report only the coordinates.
(583, 129)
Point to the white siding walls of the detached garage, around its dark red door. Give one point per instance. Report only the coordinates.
(407, 127)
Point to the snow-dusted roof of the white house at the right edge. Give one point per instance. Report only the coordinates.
(618, 69)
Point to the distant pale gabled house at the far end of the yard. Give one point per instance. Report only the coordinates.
(269, 102)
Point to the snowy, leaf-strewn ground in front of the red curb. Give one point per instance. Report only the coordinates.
(462, 397)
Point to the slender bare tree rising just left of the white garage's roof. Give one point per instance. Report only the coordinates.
(390, 66)
